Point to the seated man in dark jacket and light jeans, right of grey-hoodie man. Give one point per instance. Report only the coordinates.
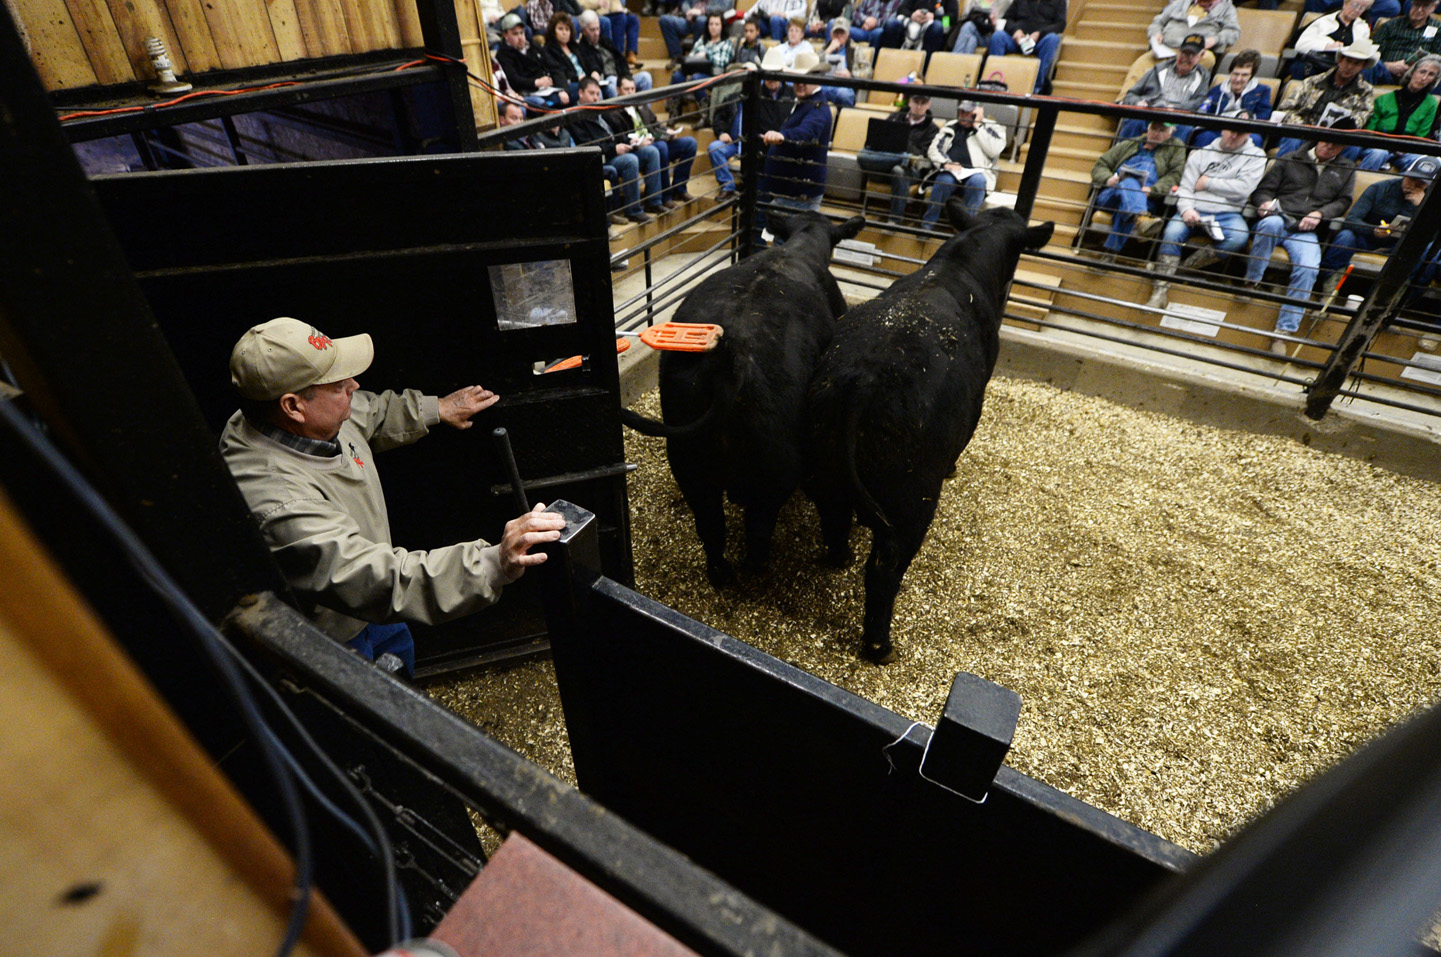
(1298, 197)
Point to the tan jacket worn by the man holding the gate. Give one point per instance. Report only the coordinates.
(326, 524)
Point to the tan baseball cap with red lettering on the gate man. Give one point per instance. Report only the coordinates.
(287, 355)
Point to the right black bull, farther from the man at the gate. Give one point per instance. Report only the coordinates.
(898, 394)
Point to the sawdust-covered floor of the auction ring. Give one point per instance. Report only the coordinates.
(1197, 620)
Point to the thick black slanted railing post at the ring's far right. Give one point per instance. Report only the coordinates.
(1383, 303)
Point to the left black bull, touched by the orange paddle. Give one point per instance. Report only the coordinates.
(734, 417)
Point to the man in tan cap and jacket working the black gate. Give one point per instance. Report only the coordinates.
(302, 450)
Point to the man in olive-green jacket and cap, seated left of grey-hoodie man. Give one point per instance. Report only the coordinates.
(1136, 177)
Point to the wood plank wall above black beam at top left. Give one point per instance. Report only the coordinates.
(96, 43)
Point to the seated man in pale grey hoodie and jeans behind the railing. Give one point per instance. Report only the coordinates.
(1214, 190)
